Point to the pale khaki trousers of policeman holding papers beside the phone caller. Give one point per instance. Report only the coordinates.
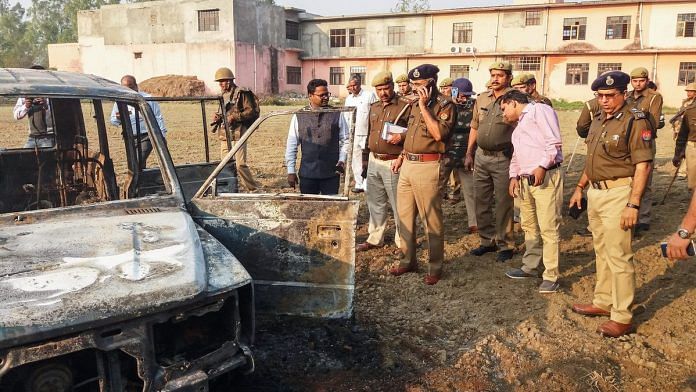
(382, 185)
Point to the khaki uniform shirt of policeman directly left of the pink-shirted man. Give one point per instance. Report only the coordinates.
(493, 133)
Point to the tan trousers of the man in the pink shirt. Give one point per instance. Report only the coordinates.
(540, 213)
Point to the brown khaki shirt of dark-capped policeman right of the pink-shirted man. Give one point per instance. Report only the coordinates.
(611, 152)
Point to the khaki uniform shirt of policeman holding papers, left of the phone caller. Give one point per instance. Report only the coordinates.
(379, 114)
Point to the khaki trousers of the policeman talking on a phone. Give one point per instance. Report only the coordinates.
(418, 194)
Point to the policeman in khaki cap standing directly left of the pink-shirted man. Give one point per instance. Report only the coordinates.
(491, 166)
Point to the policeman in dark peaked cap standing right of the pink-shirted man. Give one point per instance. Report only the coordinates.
(620, 149)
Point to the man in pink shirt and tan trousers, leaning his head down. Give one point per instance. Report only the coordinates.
(537, 181)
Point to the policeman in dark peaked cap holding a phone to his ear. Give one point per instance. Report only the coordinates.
(429, 125)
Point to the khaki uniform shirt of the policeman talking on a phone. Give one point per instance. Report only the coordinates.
(418, 139)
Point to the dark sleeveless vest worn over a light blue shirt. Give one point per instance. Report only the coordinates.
(318, 138)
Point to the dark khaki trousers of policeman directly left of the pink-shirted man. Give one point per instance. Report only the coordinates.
(491, 182)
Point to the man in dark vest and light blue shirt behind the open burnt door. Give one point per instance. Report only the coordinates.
(323, 139)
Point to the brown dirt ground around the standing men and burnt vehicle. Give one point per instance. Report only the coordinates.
(476, 330)
